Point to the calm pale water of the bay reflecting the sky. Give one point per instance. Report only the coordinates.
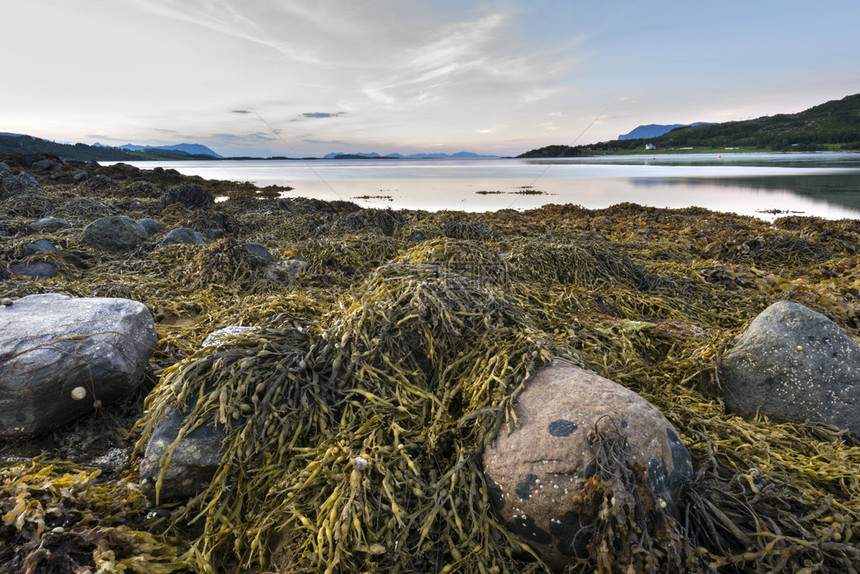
(821, 184)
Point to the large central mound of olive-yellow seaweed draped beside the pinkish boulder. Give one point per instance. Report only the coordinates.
(355, 444)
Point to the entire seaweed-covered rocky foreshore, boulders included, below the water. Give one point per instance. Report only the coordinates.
(205, 376)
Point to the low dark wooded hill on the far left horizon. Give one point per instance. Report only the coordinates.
(32, 145)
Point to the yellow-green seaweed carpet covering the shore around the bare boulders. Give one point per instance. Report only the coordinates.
(412, 364)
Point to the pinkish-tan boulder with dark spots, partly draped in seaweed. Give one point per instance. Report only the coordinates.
(534, 471)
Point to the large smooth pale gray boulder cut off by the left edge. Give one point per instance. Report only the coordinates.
(60, 357)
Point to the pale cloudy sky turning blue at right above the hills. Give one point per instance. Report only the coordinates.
(301, 77)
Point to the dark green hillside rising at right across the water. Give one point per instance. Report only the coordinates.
(832, 125)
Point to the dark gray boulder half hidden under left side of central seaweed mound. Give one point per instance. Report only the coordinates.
(192, 464)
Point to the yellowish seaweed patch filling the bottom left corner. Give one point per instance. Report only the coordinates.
(56, 520)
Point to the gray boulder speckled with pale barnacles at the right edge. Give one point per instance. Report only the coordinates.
(794, 364)
